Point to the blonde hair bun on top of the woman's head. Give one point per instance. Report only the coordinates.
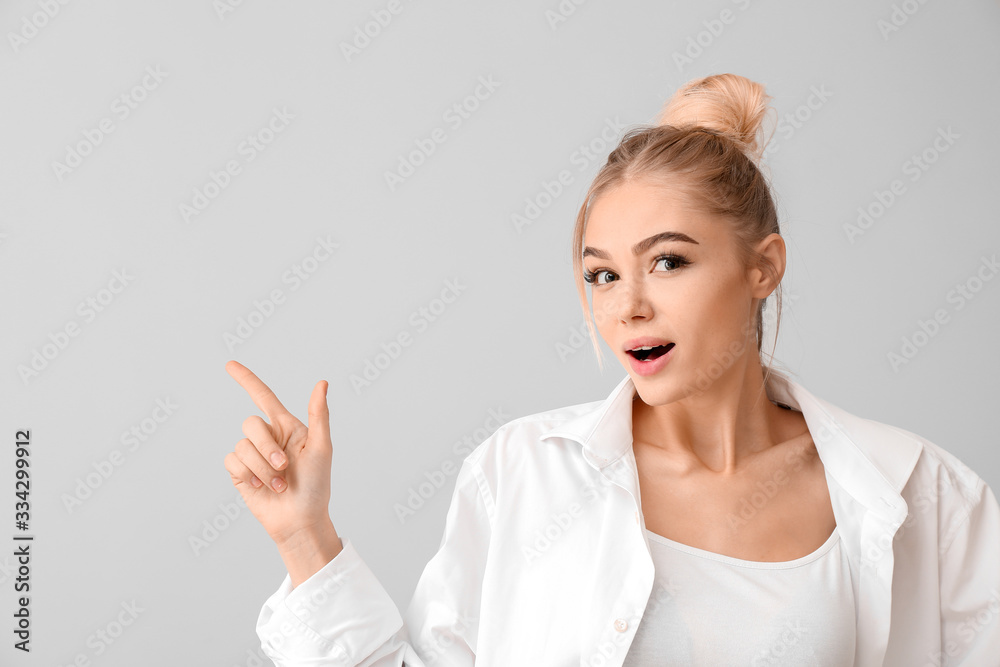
(729, 104)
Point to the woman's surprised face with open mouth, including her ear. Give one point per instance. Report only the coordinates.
(666, 275)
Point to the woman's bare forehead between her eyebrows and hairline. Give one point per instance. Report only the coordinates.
(632, 211)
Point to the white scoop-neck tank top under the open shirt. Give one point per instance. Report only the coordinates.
(709, 609)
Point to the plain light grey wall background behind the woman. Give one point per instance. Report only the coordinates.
(495, 347)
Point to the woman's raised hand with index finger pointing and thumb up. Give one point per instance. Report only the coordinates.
(282, 468)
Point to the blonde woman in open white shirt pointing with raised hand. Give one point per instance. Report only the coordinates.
(708, 512)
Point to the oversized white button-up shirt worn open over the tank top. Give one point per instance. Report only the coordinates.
(544, 559)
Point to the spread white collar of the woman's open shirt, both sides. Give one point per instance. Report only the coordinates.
(870, 460)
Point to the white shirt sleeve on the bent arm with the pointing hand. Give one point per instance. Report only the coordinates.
(343, 616)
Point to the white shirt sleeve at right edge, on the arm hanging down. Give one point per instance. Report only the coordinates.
(970, 585)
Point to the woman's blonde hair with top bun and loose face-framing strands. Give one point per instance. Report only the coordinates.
(707, 144)
